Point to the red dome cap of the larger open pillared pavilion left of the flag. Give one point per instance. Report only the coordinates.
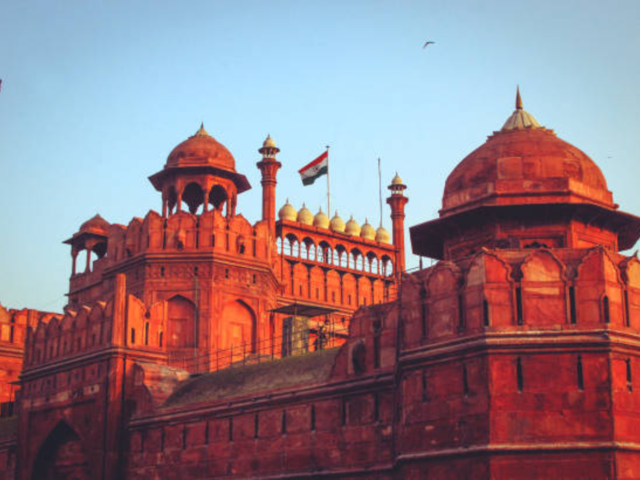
(201, 149)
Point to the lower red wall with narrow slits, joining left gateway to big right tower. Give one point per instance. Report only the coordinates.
(340, 426)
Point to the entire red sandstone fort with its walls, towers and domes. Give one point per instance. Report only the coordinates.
(197, 345)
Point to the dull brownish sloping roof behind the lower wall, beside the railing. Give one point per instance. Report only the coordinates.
(261, 378)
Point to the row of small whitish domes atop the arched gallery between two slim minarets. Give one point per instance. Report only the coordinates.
(336, 224)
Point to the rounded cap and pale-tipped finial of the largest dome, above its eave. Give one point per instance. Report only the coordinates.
(524, 163)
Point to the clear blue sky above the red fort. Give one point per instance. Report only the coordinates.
(95, 94)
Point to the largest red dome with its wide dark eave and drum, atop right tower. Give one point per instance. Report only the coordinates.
(523, 187)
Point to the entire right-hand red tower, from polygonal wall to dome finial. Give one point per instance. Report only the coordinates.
(529, 285)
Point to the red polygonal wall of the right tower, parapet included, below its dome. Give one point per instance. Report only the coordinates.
(522, 351)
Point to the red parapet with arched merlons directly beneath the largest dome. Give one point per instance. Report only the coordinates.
(522, 290)
